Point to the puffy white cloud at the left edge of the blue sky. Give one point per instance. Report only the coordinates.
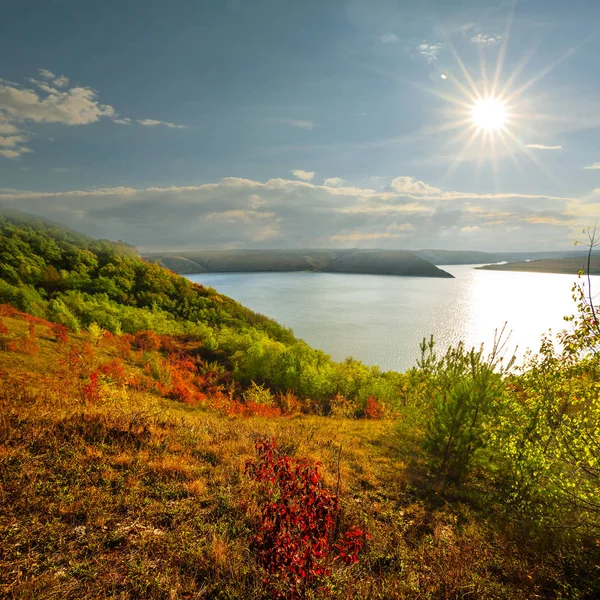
(53, 100)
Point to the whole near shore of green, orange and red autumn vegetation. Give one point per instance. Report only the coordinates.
(159, 440)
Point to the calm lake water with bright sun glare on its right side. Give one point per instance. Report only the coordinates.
(381, 320)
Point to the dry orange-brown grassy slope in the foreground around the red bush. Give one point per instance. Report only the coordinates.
(137, 496)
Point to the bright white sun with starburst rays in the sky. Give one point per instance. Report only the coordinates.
(491, 113)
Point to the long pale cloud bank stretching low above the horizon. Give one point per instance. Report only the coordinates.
(283, 213)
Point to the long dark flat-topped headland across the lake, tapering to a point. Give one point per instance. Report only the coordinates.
(376, 262)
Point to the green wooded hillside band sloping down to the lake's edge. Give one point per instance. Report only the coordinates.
(55, 273)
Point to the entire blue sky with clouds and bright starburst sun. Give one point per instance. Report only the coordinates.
(284, 124)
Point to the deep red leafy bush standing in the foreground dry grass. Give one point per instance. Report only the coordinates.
(295, 542)
